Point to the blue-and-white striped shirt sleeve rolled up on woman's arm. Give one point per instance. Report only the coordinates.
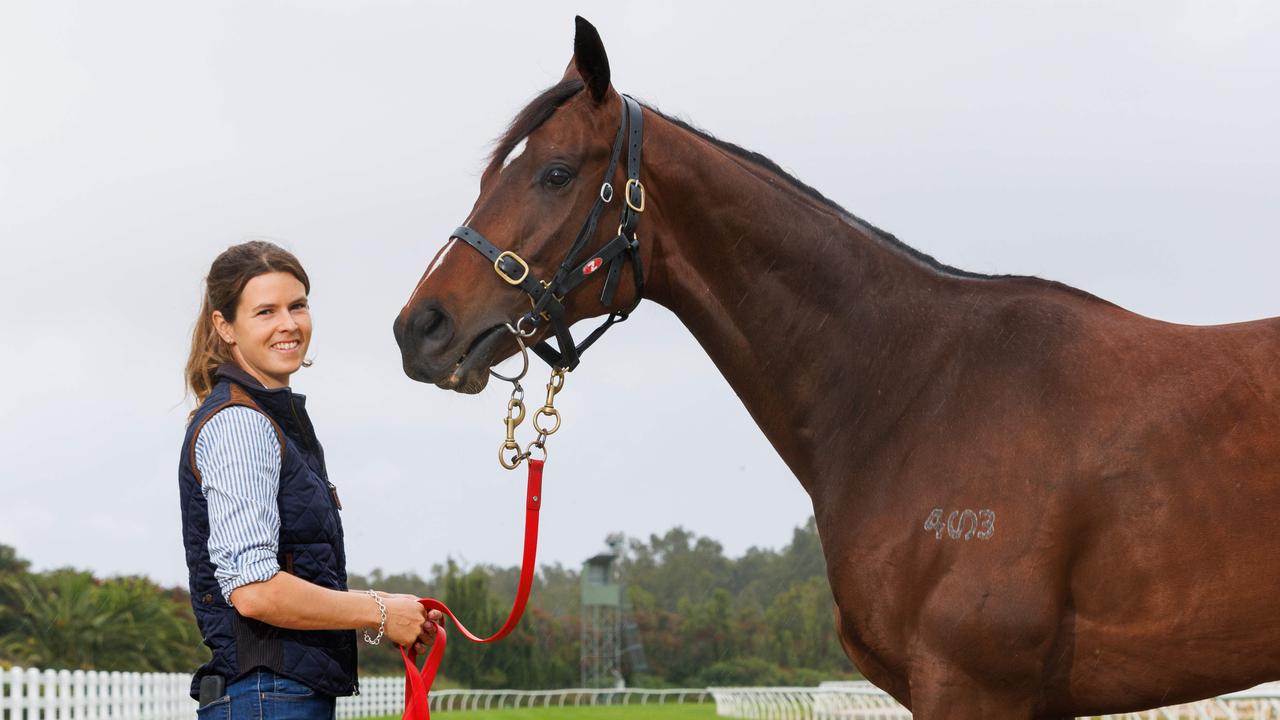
(239, 459)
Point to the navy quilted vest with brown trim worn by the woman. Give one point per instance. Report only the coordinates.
(310, 549)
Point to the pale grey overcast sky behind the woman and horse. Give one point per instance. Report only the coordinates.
(1130, 149)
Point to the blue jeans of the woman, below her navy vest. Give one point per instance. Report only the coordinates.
(266, 696)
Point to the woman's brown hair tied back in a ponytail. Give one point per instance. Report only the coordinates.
(227, 279)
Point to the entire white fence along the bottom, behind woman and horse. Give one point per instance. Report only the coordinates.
(62, 695)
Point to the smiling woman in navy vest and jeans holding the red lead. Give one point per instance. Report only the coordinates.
(260, 518)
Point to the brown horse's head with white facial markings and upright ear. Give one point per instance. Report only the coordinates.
(556, 166)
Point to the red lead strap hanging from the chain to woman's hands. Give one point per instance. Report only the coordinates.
(419, 682)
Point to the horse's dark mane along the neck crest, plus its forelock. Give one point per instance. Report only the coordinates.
(545, 106)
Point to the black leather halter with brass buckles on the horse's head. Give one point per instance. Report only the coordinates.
(548, 298)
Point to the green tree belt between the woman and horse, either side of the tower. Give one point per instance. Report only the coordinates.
(766, 618)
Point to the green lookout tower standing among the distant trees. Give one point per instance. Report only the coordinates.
(609, 630)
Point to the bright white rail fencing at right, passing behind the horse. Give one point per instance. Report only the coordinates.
(863, 701)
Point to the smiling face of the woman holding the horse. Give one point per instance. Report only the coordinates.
(273, 329)
